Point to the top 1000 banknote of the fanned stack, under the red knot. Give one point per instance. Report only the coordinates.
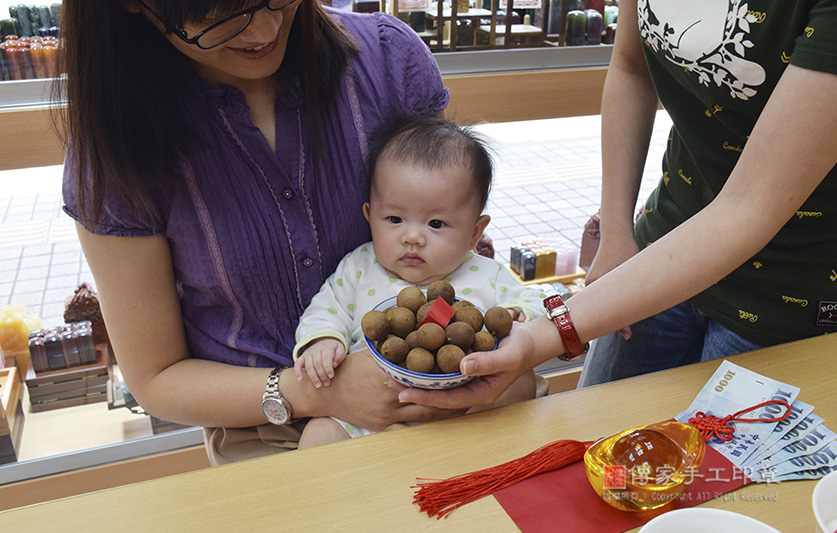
(731, 389)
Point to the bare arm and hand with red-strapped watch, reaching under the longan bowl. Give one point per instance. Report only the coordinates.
(790, 150)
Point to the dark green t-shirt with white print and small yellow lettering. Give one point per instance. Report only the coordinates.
(715, 64)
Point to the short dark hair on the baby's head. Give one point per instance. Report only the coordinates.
(433, 142)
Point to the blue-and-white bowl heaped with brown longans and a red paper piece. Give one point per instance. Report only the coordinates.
(419, 337)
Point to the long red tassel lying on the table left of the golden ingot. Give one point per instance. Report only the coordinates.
(441, 497)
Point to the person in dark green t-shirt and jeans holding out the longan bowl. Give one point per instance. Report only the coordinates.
(737, 246)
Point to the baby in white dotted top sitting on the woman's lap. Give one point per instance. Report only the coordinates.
(430, 183)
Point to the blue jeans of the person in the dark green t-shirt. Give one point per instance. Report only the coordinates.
(678, 336)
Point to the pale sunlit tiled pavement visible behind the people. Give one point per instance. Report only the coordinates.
(547, 184)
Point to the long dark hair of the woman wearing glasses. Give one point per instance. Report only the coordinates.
(127, 91)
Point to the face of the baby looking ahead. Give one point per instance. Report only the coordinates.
(423, 221)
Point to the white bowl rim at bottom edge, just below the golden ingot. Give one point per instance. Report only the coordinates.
(705, 520)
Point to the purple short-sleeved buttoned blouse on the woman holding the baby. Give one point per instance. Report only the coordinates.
(253, 233)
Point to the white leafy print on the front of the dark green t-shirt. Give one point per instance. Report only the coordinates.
(707, 39)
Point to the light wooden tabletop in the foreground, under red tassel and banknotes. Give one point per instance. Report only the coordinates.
(364, 484)
